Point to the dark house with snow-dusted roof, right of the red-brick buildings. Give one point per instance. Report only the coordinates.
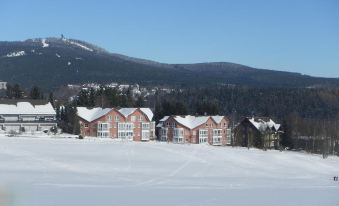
(257, 132)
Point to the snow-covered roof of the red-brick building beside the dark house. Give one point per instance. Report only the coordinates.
(193, 121)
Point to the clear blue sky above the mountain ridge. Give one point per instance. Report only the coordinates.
(290, 35)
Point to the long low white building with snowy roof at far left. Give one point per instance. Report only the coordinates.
(26, 116)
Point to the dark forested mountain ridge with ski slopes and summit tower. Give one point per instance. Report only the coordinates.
(52, 62)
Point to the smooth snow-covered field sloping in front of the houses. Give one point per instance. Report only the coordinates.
(45, 171)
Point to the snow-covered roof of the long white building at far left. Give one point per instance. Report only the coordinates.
(26, 107)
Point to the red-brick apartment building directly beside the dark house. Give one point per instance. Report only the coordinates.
(194, 129)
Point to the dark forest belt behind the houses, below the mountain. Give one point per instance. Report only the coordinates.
(309, 116)
